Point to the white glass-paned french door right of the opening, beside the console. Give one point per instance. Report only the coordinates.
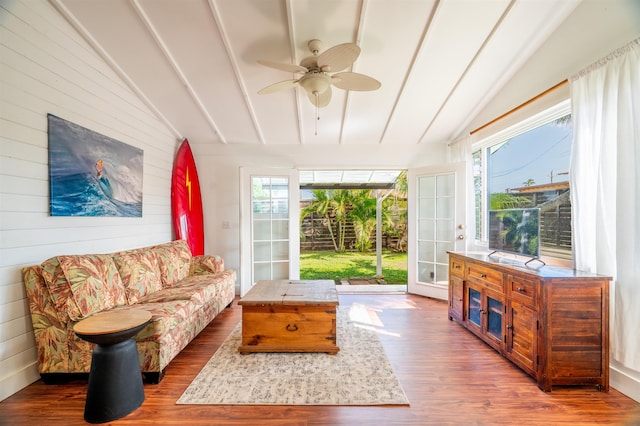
(436, 214)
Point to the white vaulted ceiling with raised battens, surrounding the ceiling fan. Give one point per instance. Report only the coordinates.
(195, 63)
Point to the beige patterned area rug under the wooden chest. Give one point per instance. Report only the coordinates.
(360, 374)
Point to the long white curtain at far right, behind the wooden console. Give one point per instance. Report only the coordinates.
(605, 187)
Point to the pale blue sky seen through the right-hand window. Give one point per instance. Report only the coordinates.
(531, 155)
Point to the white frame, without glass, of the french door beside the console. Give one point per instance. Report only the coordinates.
(433, 289)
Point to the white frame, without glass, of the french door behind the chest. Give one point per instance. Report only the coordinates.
(246, 236)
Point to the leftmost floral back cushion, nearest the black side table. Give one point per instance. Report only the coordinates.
(94, 283)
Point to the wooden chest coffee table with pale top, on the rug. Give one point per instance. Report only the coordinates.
(289, 316)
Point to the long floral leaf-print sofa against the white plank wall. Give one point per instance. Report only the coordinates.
(182, 292)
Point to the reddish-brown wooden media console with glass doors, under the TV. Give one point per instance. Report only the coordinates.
(551, 322)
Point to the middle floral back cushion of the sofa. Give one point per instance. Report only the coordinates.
(140, 273)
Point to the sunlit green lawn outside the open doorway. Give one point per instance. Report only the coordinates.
(316, 265)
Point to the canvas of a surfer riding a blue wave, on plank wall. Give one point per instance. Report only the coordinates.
(91, 174)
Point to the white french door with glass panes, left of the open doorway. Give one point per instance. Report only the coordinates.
(269, 232)
